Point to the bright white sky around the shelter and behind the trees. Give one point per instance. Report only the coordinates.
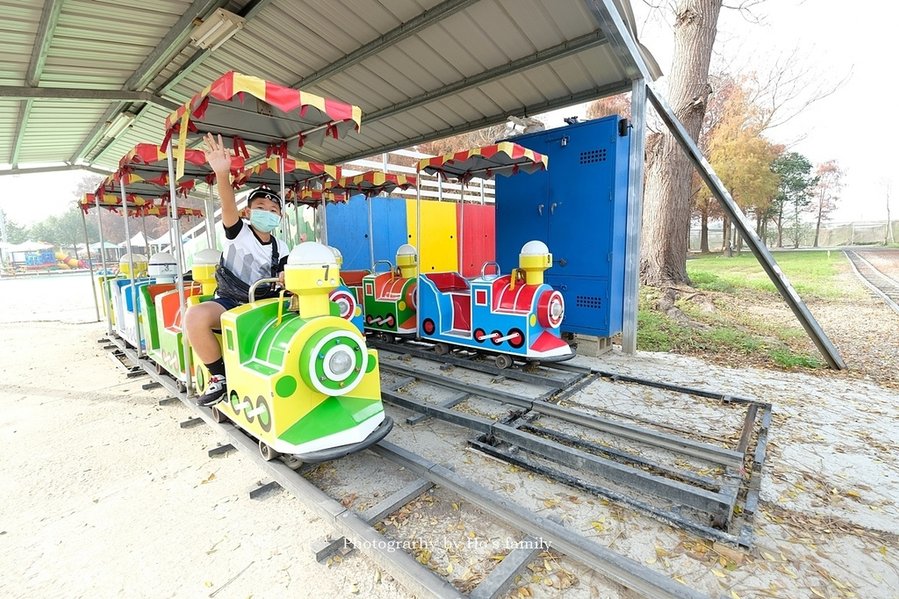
(854, 126)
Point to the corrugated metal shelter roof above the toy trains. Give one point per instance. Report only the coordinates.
(419, 69)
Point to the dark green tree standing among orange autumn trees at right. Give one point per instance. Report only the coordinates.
(794, 194)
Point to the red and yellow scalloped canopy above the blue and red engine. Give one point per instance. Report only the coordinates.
(504, 158)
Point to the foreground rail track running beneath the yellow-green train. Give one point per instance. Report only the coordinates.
(357, 530)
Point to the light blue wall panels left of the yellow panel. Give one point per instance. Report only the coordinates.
(348, 229)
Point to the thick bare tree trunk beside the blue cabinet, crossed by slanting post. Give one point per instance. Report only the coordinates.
(666, 211)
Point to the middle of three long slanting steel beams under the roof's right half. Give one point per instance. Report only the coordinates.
(578, 44)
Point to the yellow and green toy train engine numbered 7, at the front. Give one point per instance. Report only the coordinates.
(300, 379)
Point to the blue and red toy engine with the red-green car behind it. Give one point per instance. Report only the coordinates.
(512, 316)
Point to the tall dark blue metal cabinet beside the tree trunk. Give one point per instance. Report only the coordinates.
(578, 207)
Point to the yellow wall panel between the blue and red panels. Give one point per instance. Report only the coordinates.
(439, 251)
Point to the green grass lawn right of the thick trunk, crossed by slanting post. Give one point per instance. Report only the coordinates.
(726, 325)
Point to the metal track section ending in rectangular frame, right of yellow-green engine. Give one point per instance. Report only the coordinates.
(631, 460)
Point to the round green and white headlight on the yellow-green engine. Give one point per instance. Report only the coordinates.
(333, 361)
